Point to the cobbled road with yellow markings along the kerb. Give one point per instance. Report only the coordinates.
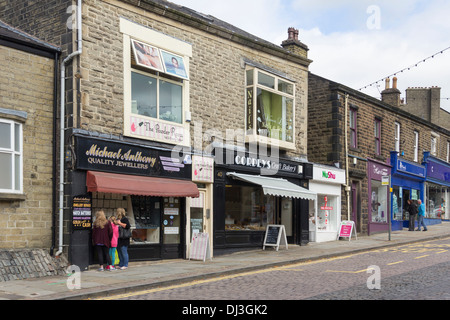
(413, 272)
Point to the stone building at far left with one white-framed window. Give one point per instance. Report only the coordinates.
(27, 82)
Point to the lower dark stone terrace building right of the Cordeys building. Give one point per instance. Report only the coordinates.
(377, 132)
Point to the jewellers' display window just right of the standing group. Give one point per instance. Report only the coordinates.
(145, 220)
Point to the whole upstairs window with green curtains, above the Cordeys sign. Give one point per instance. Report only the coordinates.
(270, 107)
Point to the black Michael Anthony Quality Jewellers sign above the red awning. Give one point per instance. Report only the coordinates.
(99, 155)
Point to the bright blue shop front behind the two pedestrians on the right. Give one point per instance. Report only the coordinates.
(407, 183)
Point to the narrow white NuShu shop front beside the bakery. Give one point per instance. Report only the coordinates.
(325, 218)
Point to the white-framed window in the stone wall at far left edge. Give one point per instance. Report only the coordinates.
(11, 153)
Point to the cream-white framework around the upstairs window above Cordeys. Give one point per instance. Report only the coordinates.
(252, 134)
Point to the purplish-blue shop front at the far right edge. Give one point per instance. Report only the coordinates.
(437, 189)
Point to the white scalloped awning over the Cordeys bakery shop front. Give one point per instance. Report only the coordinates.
(276, 186)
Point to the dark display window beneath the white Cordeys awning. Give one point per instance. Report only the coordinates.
(248, 208)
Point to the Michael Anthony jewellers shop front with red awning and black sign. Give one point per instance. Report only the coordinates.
(152, 186)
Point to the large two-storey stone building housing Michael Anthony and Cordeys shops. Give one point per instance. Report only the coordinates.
(102, 114)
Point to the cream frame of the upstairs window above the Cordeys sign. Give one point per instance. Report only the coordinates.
(251, 107)
